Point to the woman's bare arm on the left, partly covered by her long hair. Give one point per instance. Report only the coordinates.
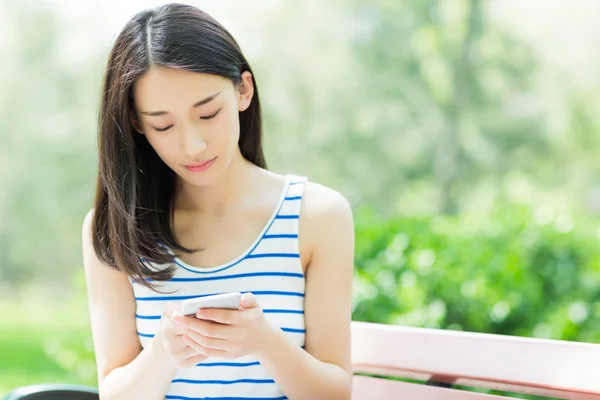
(125, 371)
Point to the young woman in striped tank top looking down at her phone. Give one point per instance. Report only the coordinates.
(185, 207)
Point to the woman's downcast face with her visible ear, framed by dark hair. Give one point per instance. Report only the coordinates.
(191, 118)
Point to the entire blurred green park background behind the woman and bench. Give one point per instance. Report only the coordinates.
(465, 134)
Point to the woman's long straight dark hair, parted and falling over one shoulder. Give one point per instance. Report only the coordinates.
(133, 208)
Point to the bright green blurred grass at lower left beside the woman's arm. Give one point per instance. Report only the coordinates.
(45, 342)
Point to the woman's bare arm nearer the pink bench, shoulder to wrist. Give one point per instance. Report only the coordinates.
(324, 370)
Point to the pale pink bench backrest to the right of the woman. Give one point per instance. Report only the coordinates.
(552, 368)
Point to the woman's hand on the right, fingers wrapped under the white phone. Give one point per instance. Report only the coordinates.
(226, 333)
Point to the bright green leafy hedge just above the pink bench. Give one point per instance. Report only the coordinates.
(514, 272)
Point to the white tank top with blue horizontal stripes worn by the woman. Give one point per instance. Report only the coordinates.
(271, 269)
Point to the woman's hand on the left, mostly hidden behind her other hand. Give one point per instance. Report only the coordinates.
(180, 353)
